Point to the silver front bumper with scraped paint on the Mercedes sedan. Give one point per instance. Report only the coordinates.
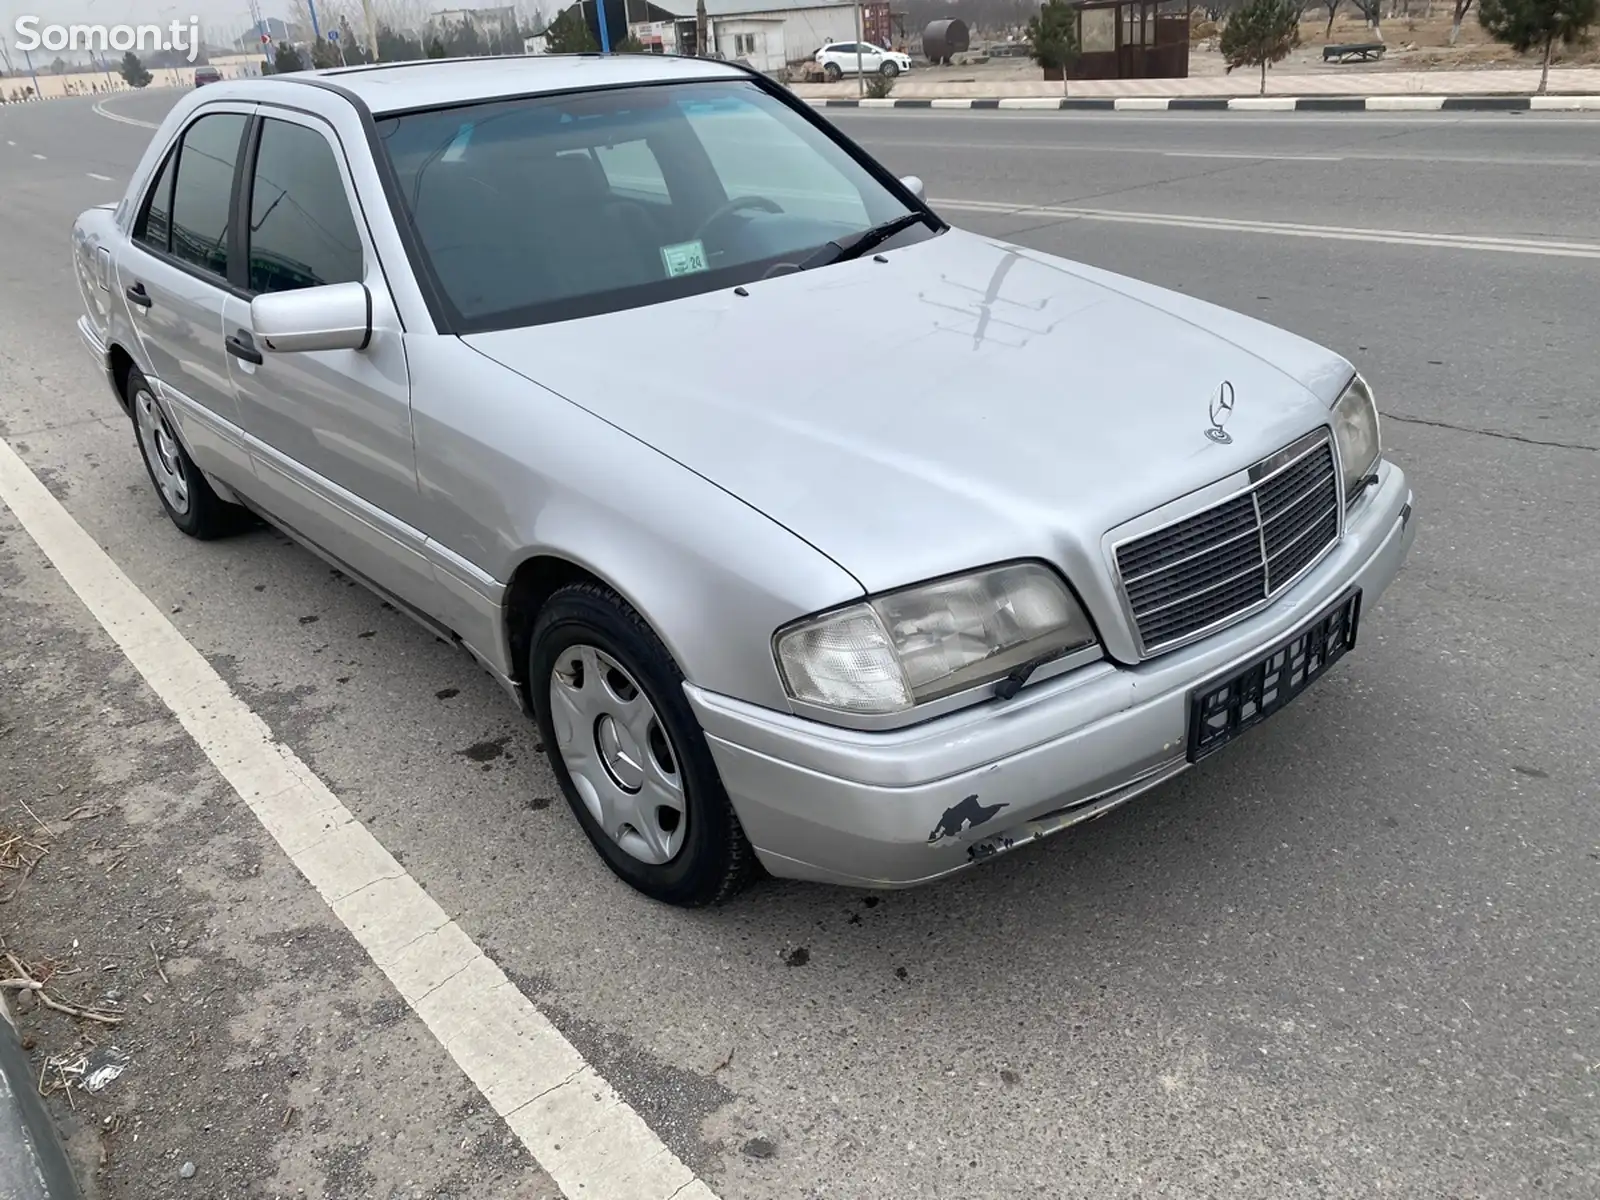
(911, 806)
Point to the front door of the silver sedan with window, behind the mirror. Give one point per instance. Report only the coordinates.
(330, 430)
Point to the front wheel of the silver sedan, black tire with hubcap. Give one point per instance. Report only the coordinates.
(591, 662)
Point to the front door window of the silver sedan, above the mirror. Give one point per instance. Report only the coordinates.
(302, 230)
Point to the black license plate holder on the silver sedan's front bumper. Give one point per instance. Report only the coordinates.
(1225, 708)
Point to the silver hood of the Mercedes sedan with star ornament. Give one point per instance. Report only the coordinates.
(956, 404)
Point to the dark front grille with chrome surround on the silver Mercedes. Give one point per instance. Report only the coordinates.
(1223, 562)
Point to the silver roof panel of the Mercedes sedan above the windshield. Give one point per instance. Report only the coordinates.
(430, 84)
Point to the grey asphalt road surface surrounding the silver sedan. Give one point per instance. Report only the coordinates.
(1359, 954)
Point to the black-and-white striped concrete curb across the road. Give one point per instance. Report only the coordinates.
(1238, 103)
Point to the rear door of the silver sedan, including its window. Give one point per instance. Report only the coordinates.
(174, 279)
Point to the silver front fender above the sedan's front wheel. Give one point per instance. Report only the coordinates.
(511, 471)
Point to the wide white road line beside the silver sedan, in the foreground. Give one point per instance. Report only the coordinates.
(591, 1142)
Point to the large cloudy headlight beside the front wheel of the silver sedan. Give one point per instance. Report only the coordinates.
(910, 647)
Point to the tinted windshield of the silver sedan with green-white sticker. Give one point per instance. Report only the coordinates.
(559, 207)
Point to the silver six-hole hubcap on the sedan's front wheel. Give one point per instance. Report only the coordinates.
(618, 754)
